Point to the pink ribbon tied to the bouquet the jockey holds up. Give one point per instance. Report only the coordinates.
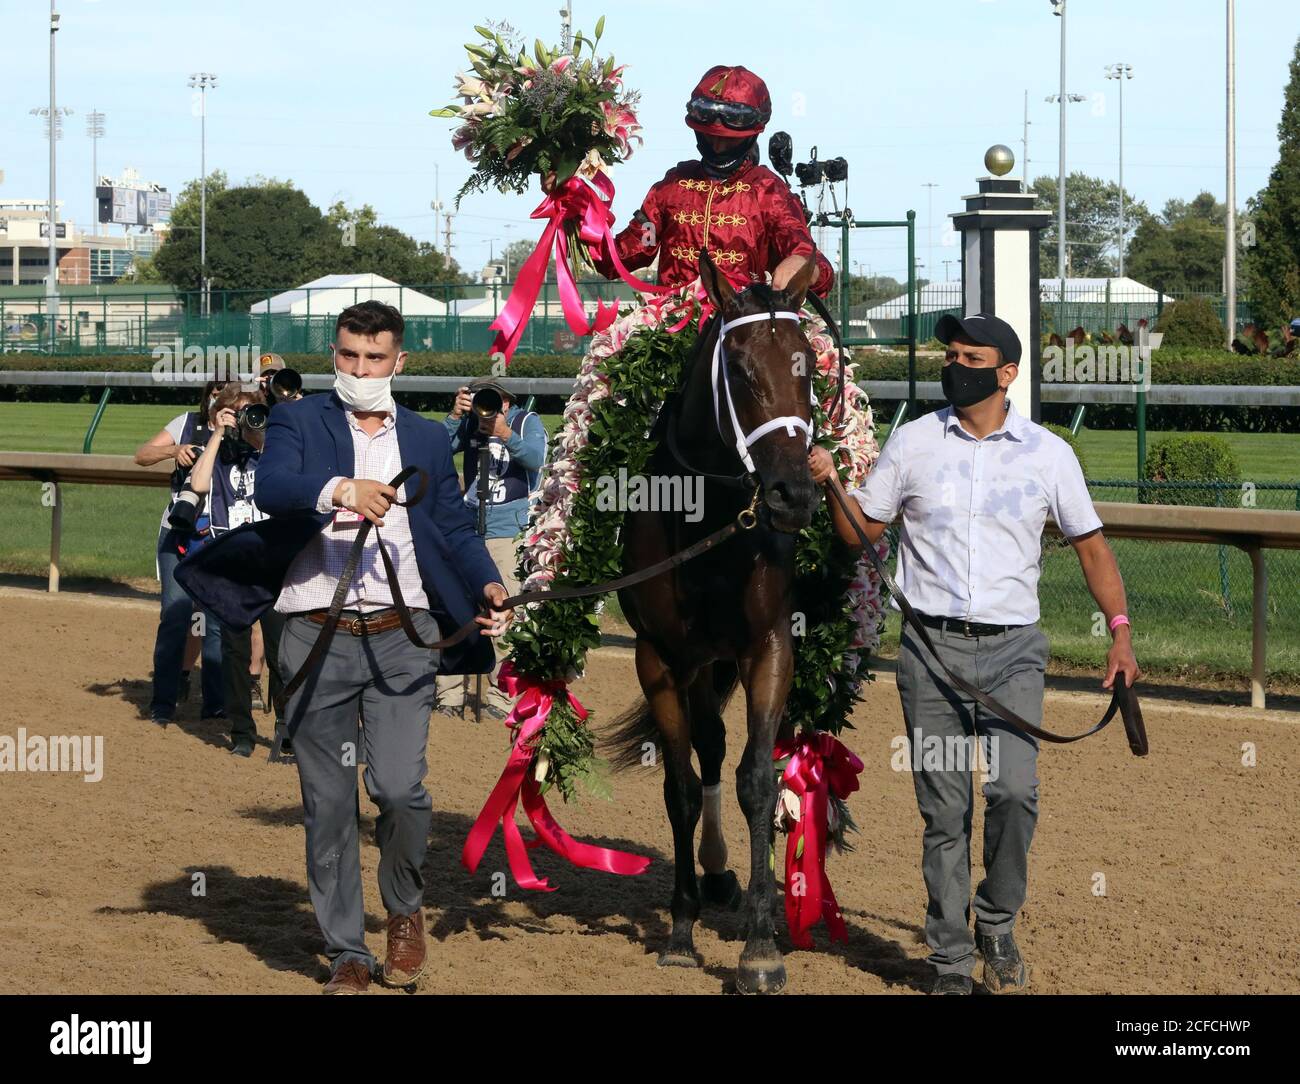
(587, 202)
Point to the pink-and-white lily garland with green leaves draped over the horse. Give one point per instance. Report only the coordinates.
(626, 376)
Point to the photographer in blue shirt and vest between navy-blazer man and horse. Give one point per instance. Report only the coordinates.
(517, 445)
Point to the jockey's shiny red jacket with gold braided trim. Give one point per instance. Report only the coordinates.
(749, 223)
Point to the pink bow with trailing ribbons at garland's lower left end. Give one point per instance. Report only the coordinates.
(518, 784)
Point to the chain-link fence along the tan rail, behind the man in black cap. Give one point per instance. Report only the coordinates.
(1190, 602)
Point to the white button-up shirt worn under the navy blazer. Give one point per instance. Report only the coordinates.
(315, 573)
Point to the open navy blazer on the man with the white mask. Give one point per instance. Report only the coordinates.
(240, 575)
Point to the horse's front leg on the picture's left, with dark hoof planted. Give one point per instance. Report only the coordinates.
(682, 795)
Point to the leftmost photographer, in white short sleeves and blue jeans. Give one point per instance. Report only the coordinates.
(181, 441)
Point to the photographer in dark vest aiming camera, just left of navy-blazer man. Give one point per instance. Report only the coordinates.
(227, 474)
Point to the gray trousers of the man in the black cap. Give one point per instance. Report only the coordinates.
(943, 723)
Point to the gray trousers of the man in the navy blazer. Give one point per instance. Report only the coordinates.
(391, 683)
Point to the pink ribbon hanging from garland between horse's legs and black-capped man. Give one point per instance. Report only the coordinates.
(821, 765)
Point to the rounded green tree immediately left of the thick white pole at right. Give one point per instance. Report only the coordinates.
(1181, 249)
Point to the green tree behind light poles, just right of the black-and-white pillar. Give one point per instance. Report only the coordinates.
(1093, 226)
